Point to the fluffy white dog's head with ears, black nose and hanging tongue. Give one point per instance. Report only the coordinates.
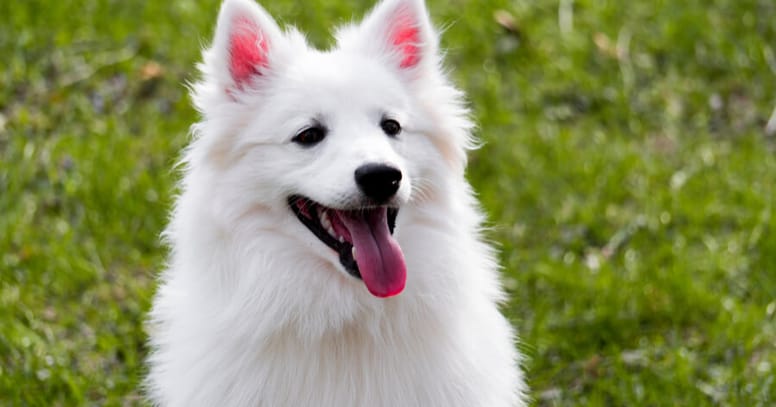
(341, 141)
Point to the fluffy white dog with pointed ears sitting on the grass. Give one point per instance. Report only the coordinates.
(325, 246)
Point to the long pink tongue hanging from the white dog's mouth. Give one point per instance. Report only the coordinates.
(379, 257)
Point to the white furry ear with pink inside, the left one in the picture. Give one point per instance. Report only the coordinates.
(245, 46)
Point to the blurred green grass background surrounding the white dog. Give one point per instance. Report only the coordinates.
(629, 169)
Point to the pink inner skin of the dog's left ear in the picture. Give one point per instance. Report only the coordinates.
(247, 50)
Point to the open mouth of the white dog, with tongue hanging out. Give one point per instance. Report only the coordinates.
(363, 239)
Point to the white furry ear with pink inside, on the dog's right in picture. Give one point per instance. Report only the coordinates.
(399, 31)
